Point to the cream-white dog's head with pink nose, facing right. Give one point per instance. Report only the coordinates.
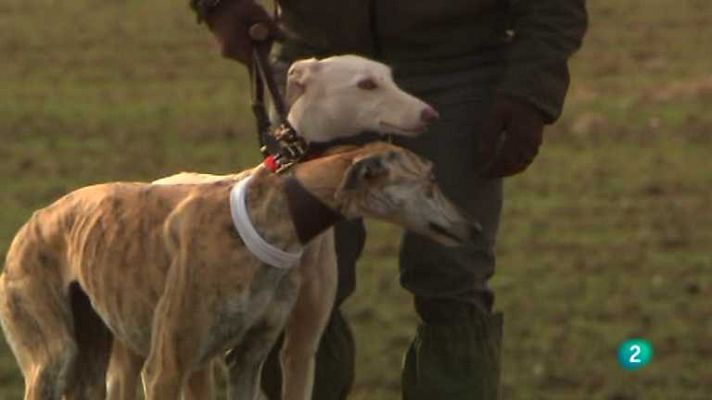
(345, 95)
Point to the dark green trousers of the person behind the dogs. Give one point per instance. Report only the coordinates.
(455, 354)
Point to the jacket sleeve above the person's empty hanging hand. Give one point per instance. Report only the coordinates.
(545, 34)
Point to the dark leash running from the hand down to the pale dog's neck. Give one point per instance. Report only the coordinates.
(290, 146)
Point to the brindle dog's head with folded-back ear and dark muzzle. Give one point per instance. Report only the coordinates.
(392, 184)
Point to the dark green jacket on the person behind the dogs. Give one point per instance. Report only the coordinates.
(535, 37)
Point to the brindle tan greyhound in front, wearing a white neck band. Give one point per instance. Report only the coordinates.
(162, 269)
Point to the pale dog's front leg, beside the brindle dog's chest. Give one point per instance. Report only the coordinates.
(309, 317)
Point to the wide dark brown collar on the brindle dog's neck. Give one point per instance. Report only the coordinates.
(309, 215)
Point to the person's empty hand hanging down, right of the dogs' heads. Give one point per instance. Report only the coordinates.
(510, 137)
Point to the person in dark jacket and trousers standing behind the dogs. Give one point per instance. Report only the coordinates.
(496, 70)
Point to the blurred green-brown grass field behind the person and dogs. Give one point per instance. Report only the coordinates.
(607, 236)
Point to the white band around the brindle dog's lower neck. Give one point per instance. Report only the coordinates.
(264, 251)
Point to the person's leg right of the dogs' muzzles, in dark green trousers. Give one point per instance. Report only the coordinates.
(455, 354)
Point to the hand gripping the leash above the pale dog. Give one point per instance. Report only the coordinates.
(231, 22)
